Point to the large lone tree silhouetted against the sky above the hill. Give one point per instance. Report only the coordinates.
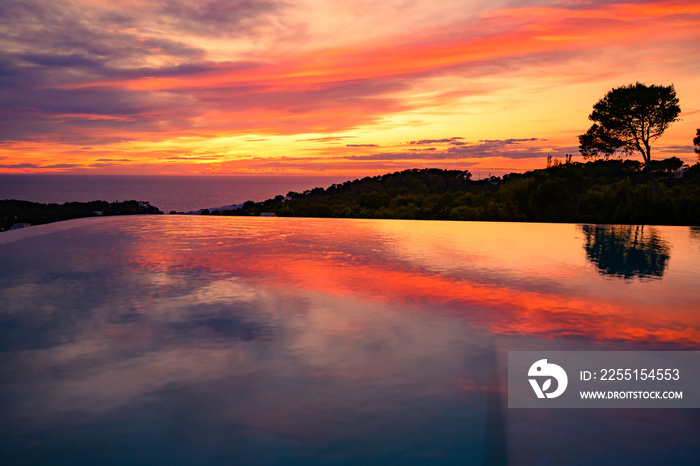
(628, 119)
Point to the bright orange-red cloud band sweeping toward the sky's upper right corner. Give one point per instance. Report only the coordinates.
(520, 31)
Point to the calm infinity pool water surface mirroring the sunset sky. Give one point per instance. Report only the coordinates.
(190, 340)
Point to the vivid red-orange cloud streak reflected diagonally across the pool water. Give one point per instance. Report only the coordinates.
(497, 308)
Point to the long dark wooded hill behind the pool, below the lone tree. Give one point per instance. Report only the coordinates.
(603, 191)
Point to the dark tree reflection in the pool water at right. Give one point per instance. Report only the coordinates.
(626, 251)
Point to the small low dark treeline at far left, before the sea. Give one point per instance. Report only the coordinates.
(14, 211)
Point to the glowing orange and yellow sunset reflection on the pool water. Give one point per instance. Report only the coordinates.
(554, 296)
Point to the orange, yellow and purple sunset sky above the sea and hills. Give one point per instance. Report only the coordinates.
(355, 88)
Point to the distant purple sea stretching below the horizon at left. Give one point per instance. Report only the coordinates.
(168, 193)
